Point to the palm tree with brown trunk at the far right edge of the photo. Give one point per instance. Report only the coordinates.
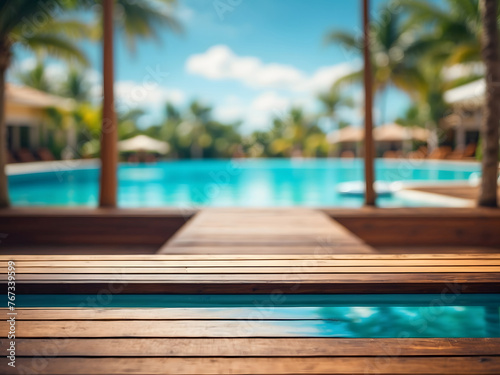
(466, 31)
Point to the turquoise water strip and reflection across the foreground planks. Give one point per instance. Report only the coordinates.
(374, 316)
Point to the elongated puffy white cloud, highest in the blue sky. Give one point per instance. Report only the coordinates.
(220, 62)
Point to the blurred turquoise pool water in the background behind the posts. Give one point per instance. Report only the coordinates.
(256, 182)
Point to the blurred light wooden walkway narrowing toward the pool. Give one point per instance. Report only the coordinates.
(264, 231)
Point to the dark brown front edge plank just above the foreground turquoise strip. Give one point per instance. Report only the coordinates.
(294, 286)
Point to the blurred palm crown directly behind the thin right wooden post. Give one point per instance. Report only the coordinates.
(394, 49)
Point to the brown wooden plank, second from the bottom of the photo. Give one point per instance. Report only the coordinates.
(256, 347)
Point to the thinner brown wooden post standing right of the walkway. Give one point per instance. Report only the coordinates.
(368, 142)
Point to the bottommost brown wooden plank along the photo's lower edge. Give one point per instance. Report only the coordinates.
(480, 365)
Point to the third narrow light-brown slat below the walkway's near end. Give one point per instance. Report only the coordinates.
(251, 270)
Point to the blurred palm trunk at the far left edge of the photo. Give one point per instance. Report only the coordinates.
(4, 63)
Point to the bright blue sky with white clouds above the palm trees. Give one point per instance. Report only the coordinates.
(251, 62)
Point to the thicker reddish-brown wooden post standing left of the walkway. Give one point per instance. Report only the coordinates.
(109, 134)
